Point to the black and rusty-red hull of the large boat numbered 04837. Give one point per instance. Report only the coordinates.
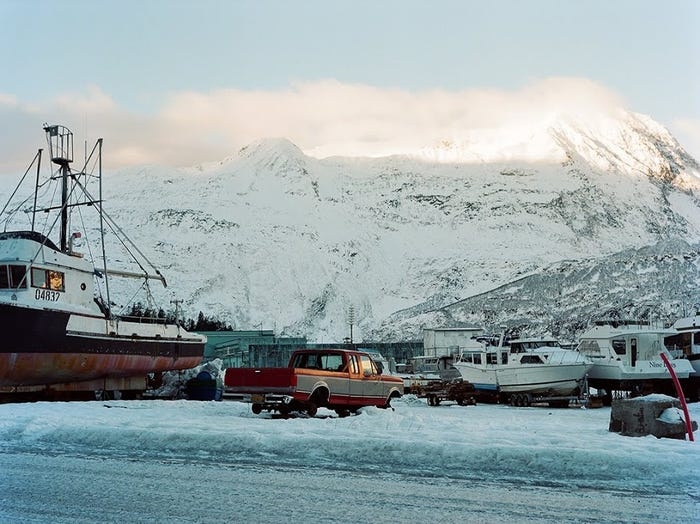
(39, 348)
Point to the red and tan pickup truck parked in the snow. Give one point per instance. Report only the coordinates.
(338, 379)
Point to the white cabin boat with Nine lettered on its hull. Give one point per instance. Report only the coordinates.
(626, 357)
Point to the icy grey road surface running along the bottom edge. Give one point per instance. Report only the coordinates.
(59, 489)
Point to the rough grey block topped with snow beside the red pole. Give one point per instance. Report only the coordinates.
(658, 415)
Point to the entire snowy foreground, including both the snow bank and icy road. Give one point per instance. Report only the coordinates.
(183, 461)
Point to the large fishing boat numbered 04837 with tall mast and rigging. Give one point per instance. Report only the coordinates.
(56, 314)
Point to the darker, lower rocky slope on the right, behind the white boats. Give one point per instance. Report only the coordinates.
(657, 283)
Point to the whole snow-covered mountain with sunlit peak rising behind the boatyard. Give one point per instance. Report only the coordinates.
(272, 238)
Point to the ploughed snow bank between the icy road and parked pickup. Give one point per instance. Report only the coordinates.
(565, 447)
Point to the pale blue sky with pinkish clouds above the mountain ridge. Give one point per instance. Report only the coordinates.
(182, 83)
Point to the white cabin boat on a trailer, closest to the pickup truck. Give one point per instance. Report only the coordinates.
(521, 369)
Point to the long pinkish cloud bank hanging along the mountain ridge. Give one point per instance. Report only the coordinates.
(323, 118)
